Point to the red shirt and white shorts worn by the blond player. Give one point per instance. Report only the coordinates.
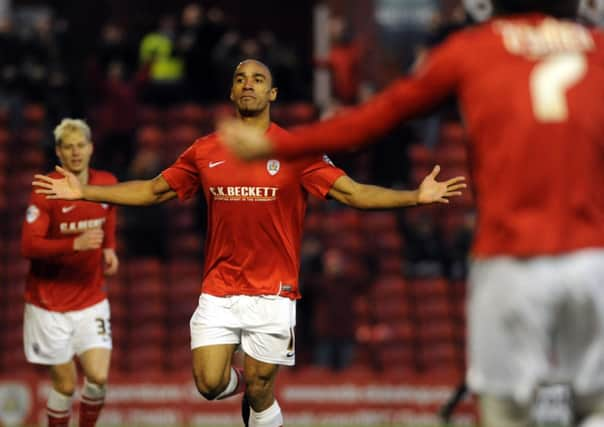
(62, 280)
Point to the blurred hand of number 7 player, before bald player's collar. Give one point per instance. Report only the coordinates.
(246, 142)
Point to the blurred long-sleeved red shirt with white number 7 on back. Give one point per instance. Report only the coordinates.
(531, 90)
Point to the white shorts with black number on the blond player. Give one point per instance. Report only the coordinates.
(53, 338)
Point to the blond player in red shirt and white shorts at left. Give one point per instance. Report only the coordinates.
(71, 245)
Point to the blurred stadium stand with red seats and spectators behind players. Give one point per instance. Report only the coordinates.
(383, 292)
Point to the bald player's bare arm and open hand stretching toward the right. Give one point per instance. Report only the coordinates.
(364, 196)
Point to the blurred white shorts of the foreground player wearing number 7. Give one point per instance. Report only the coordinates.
(537, 320)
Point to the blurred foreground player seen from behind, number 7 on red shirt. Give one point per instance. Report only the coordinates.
(530, 84)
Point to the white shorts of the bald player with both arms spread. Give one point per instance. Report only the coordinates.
(262, 325)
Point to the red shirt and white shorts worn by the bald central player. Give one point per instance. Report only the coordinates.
(255, 218)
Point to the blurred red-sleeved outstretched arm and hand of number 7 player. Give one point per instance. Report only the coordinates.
(406, 98)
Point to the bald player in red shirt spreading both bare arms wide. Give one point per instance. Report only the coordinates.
(256, 212)
